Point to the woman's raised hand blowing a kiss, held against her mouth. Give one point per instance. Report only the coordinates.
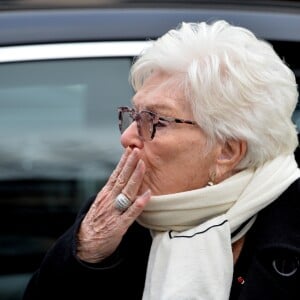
(103, 227)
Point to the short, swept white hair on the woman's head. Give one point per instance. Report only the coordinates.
(237, 85)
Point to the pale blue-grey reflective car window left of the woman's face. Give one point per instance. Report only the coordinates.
(56, 117)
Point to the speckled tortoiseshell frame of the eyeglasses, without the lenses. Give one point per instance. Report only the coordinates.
(155, 118)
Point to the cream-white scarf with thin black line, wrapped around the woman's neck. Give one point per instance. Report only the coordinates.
(191, 254)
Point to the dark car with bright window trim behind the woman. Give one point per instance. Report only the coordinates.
(63, 72)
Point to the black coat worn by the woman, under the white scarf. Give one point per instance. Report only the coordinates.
(268, 267)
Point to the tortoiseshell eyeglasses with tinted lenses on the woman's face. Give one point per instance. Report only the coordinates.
(147, 121)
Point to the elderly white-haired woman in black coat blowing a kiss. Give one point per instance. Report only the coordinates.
(204, 203)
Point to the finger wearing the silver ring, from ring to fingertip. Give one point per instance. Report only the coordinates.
(133, 185)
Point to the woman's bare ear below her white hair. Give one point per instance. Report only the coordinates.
(230, 154)
